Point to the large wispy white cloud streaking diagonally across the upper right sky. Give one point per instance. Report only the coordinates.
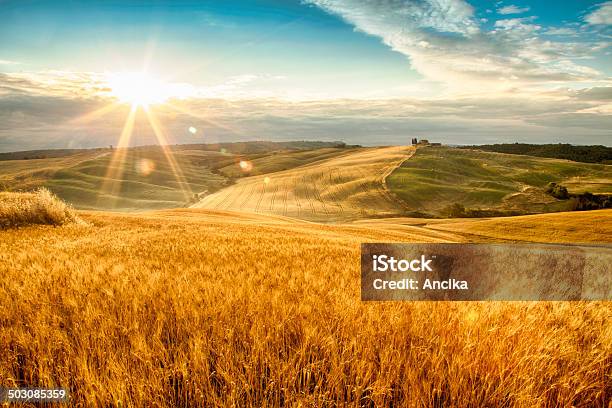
(444, 42)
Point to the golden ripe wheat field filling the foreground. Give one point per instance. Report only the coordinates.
(214, 308)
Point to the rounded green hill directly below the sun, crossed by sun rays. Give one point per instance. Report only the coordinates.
(144, 180)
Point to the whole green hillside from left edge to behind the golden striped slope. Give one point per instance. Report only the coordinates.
(142, 178)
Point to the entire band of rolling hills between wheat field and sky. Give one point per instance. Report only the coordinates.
(307, 180)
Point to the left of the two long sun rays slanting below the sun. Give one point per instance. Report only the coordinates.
(112, 180)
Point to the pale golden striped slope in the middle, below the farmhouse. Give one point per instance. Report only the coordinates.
(347, 186)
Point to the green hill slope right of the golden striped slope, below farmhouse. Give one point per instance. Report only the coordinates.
(437, 177)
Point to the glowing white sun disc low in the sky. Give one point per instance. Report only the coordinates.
(137, 88)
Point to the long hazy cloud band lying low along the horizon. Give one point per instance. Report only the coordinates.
(38, 113)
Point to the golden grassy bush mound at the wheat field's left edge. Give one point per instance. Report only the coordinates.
(40, 207)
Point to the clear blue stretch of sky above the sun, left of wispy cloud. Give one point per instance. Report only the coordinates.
(210, 42)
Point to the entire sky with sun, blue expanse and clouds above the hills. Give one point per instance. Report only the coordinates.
(371, 72)
